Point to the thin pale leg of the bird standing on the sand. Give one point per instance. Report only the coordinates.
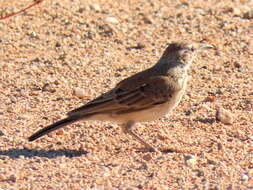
(127, 129)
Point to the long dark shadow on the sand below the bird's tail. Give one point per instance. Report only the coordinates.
(30, 153)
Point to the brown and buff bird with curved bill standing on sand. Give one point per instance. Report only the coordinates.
(145, 96)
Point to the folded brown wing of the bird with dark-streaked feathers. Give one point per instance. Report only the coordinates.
(122, 99)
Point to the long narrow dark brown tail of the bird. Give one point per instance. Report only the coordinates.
(54, 126)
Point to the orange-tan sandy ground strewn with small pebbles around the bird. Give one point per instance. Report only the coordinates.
(63, 46)
